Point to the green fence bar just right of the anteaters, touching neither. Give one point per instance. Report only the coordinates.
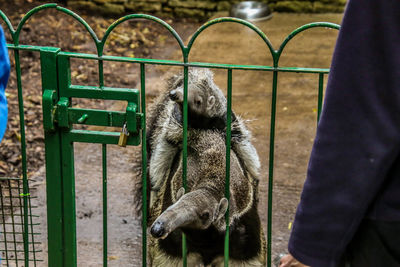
(271, 166)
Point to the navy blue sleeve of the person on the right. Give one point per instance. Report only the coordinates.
(358, 137)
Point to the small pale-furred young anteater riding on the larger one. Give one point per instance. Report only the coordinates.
(206, 110)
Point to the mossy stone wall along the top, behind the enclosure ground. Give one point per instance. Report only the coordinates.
(200, 9)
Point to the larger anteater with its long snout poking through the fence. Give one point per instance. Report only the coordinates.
(200, 212)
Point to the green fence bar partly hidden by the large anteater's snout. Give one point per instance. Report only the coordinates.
(184, 152)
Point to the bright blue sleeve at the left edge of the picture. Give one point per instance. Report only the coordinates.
(4, 73)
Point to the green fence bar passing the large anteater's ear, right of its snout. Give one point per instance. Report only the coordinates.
(228, 164)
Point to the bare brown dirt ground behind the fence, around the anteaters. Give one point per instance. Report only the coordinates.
(295, 129)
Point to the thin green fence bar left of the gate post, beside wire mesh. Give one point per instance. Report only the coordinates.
(23, 155)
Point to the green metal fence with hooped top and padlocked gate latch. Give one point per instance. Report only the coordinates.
(59, 118)
